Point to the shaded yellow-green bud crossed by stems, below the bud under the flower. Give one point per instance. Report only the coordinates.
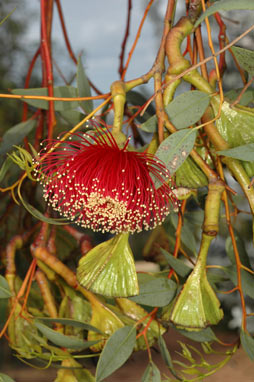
(106, 321)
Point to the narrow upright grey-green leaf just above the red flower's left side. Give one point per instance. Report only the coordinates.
(84, 88)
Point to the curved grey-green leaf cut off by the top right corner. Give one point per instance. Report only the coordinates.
(225, 5)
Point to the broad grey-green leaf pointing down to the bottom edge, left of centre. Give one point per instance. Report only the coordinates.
(117, 350)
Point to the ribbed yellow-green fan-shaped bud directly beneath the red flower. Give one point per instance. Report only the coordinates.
(109, 269)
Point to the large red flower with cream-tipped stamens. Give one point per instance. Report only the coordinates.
(93, 182)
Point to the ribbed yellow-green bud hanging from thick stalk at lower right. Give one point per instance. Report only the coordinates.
(197, 305)
